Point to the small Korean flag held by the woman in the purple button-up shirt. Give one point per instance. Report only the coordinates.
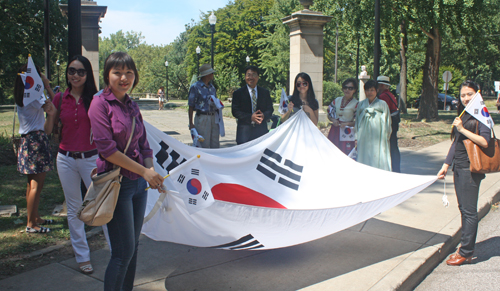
(192, 186)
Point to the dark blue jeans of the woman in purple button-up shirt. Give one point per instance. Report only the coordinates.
(124, 230)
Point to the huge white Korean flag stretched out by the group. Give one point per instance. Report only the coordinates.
(272, 192)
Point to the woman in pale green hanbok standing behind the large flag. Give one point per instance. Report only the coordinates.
(373, 130)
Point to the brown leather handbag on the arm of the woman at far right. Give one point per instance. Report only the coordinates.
(484, 160)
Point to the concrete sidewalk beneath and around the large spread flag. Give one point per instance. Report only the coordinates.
(392, 251)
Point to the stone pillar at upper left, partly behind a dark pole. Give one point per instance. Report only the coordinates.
(91, 17)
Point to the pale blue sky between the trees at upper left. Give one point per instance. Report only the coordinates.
(160, 21)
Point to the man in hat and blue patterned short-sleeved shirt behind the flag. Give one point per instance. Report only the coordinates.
(200, 101)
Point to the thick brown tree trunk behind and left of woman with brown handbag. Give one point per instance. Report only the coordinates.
(428, 100)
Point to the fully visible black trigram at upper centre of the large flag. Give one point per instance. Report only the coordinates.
(271, 166)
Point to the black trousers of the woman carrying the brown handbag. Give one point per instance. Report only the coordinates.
(467, 190)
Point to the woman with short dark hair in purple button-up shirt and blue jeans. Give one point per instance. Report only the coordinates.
(111, 114)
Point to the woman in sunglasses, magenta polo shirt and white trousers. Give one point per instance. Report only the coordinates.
(77, 152)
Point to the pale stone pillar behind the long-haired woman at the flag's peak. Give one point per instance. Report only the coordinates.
(306, 49)
